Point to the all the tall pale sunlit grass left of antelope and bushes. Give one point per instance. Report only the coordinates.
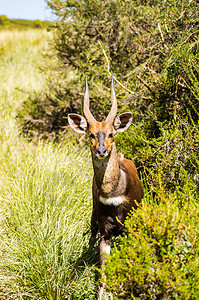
(45, 192)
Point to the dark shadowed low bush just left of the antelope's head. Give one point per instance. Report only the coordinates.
(43, 114)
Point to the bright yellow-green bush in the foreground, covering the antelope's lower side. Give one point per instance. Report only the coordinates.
(158, 256)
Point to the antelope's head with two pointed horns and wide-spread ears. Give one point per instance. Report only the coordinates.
(101, 133)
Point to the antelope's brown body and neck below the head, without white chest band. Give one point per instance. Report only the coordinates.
(117, 176)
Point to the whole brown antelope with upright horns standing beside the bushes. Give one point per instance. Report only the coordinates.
(116, 187)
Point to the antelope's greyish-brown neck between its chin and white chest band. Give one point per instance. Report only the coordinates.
(107, 173)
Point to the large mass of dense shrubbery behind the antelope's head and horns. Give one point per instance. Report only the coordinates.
(152, 49)
